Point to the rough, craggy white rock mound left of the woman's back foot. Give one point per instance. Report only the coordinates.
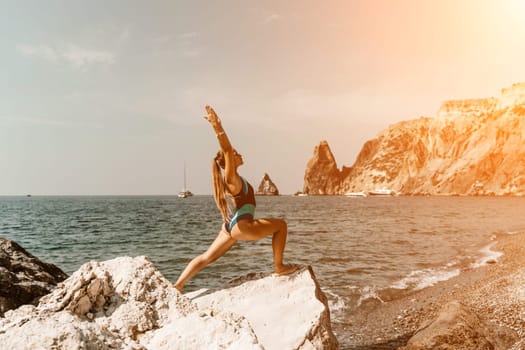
(103, 305)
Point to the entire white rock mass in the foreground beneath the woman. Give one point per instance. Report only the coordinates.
(126, 303)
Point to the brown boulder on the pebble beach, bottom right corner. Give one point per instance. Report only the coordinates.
(457, 327)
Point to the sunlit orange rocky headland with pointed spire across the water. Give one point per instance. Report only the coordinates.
(472, 147)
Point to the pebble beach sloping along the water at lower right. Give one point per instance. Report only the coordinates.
(494, 292)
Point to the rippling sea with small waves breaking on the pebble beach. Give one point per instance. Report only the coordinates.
(359, 248)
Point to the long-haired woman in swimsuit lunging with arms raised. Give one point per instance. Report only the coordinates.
(242, 225)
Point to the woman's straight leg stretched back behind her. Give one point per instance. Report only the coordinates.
(218, 248)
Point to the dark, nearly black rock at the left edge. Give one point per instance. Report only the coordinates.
(23, 277)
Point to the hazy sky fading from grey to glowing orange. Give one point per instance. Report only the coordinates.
(107, 97)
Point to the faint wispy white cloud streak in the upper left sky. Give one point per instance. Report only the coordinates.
(71, 54)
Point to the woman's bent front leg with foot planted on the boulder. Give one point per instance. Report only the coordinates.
(249, 230)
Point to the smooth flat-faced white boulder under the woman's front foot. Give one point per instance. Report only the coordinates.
(286, 312)
